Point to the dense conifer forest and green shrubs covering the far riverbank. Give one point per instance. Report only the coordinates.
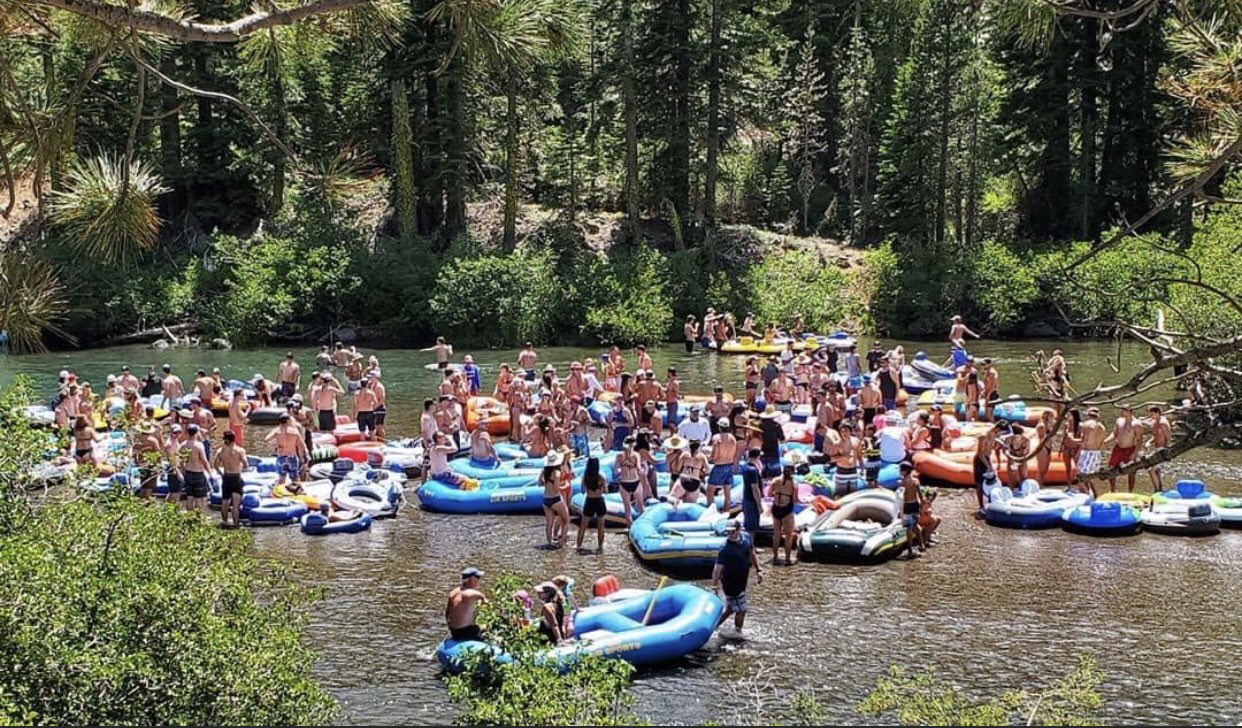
(410, 166)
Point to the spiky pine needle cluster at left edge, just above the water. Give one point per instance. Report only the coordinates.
(32, 301)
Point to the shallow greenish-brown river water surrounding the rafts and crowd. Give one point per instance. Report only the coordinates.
(989, 609)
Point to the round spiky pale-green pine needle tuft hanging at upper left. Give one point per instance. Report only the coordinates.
(106, 212)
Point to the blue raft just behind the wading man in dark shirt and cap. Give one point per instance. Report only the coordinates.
(679, 537)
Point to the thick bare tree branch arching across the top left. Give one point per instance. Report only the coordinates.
(189, 30)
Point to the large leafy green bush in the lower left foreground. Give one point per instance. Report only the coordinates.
(121, 612)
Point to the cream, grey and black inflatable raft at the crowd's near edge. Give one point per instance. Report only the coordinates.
(866, 527)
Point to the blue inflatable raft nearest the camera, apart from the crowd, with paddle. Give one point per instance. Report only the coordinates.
(664, 627)
